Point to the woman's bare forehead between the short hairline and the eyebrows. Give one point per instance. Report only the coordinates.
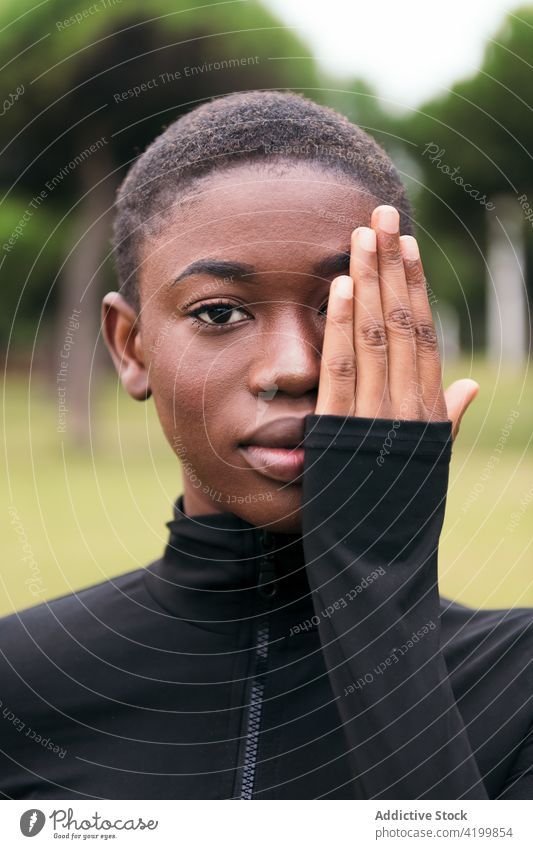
(262, 214)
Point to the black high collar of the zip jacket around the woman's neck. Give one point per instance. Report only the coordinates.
(218, 569)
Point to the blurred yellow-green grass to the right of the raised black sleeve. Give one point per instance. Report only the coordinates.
(486, 558)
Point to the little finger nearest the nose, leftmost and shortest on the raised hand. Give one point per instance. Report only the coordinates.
(336, 389)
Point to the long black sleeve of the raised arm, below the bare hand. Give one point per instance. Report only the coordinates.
(374, 494)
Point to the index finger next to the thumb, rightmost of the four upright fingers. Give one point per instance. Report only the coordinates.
(427, 349)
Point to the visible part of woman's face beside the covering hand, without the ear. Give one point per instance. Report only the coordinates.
(253, 257)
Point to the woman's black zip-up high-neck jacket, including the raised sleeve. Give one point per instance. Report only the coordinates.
(246, 664)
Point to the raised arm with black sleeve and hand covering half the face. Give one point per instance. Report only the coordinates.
(374, 491)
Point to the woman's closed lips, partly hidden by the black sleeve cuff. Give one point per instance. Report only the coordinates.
(273, 451)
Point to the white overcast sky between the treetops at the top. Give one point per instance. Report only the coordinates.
(407, 51)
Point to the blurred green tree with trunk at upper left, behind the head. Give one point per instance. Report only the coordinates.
(96, 83)
